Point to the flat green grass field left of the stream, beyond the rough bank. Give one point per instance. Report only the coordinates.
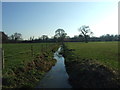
(15, 54)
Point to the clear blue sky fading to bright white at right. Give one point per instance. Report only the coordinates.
(43, 18)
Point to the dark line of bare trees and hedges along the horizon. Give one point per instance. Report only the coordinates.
(60, 36)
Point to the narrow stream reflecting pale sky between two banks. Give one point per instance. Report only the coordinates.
(57, 77)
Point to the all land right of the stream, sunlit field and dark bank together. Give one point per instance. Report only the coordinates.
(93, 64)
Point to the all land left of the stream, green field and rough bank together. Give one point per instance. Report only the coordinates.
(26, 64)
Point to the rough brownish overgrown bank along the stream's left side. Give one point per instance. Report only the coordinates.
(27, 75)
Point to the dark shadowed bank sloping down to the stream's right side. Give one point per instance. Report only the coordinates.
(84, 73)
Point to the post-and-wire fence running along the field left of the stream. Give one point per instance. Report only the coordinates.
(30, 52)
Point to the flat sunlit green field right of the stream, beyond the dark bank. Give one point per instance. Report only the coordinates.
(104, 52)
